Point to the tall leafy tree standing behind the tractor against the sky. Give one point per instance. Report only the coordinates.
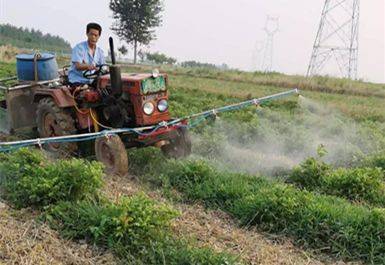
(135, 20)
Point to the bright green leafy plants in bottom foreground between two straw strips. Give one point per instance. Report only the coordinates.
(137, 229)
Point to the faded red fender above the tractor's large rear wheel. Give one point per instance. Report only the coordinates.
(61, 96)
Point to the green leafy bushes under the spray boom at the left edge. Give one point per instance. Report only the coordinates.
(30, 179)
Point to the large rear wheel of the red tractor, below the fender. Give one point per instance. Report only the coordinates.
(54, 121)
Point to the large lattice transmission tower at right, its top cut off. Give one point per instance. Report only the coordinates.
(336, 43)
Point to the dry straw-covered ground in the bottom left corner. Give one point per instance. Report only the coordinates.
(24, 241)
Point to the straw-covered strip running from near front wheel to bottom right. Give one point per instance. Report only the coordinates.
(219, 231)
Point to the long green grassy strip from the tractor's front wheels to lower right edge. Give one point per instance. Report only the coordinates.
(325, 223)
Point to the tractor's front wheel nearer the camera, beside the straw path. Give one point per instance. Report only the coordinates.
(112, 153)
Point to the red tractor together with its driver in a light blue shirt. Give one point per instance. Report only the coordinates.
(95, 97)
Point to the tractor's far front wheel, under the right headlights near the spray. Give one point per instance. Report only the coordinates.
(180, 146)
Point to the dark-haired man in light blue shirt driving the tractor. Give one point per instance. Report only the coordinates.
(86, 56)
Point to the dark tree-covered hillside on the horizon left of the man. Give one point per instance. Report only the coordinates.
(32, 39)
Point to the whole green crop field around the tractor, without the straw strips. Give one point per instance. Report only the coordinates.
(308, 169)
